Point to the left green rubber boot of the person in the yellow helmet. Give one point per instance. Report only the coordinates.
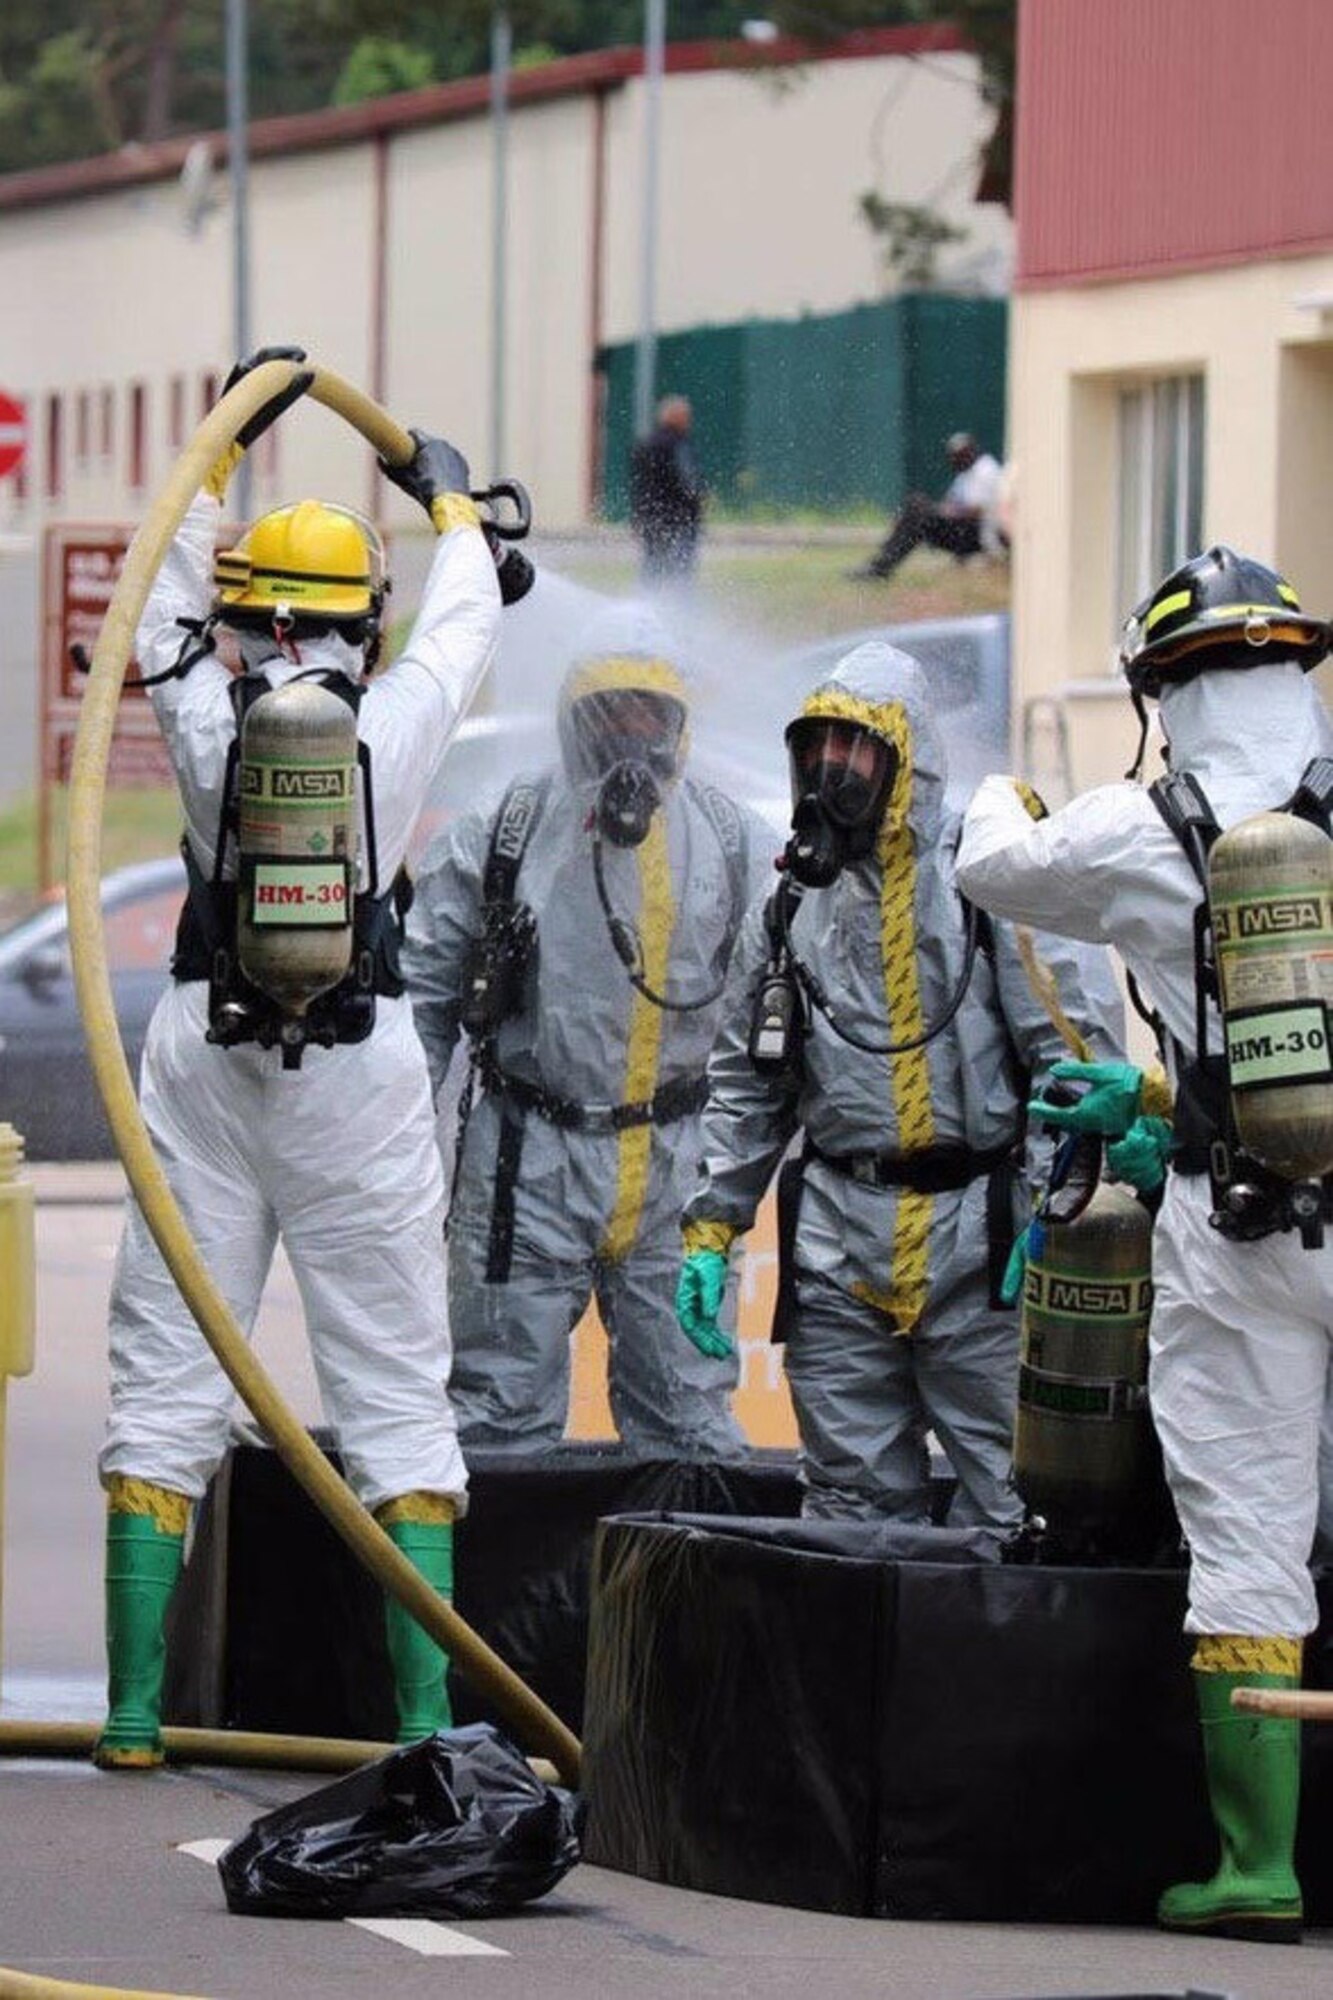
(143, 1565)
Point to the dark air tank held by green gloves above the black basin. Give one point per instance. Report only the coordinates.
(1086, 1457)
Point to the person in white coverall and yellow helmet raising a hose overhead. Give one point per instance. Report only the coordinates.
(333, 1155)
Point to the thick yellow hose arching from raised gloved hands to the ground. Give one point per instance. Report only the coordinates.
(531, 1721)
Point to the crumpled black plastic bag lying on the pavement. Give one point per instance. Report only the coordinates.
(457, 1825)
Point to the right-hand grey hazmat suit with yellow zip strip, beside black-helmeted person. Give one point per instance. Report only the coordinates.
(894, 1331)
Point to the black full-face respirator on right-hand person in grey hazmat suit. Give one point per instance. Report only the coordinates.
(842, 779)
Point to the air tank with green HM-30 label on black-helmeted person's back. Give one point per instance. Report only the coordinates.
(1272, 907)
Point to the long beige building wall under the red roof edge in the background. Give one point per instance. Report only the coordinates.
(760, 191)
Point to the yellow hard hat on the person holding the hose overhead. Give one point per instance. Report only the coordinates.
(307, 561)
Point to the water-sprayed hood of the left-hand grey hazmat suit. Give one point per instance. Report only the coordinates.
(625, 649)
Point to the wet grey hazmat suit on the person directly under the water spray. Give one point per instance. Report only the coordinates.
(579, 1147)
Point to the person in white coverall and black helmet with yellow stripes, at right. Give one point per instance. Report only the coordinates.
(1242, 1305)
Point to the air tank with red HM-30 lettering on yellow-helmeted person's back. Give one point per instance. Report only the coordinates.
(297, 841)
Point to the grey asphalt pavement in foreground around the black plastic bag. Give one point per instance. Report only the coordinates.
(113, 1881)
